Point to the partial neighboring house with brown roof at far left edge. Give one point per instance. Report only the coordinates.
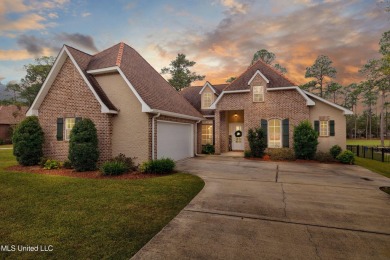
(10, 116)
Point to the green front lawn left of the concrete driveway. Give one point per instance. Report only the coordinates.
(86, 218)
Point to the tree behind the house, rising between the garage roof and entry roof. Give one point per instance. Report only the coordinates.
(181, 76)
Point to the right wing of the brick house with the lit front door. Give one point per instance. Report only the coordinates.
(263, 97)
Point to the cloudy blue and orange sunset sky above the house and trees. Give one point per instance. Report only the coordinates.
(220, 35)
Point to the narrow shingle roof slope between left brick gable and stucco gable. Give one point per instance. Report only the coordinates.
(83, 60)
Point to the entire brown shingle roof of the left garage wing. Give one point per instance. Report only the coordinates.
(153, 89)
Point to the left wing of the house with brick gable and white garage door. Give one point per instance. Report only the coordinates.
(135, 110)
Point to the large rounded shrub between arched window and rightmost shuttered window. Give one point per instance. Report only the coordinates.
(305, 141)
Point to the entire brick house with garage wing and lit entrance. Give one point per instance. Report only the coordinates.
(137, 113)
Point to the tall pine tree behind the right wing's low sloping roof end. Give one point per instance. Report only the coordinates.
(320, 70)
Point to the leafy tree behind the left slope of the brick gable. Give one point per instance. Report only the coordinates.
(35, 77)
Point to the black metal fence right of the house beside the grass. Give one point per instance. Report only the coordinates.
(381, 154)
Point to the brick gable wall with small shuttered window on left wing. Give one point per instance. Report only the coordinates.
(69, 96)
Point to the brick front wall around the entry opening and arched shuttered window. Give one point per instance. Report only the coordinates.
(280, 104)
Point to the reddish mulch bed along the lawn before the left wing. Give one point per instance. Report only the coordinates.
(73, 173)
